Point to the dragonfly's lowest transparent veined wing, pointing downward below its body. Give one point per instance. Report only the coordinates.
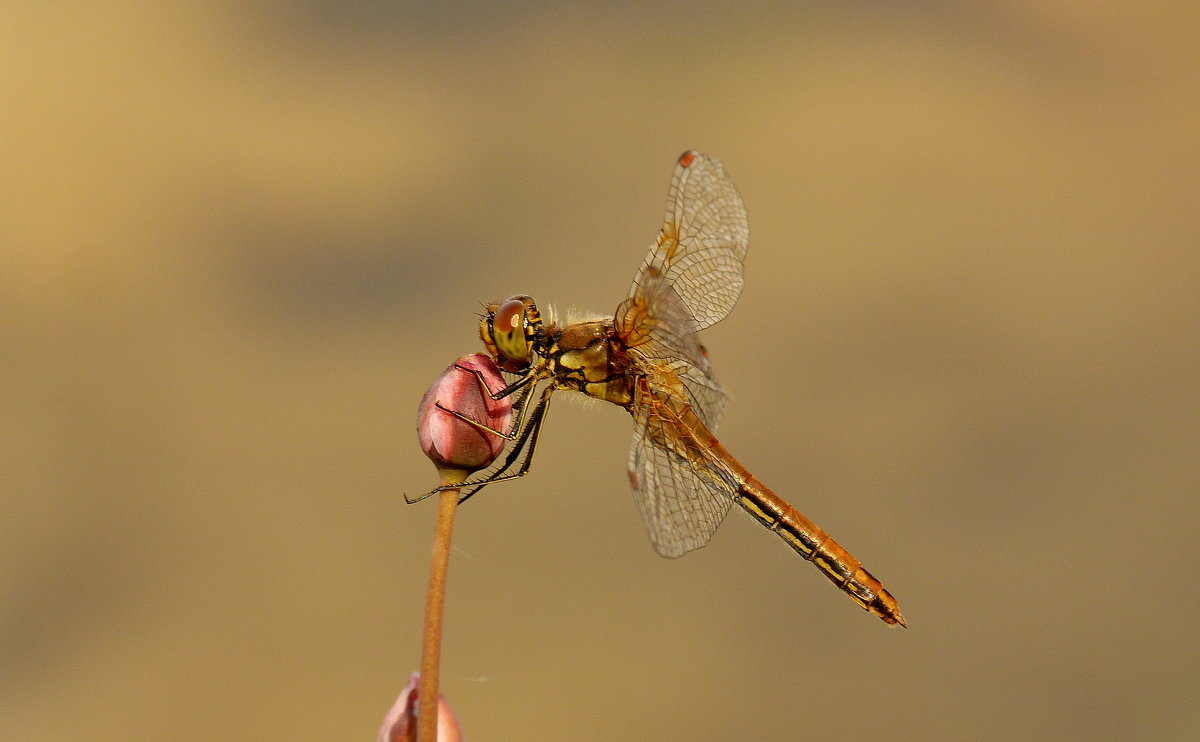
(683, 495)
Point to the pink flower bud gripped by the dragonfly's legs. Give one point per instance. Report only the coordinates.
(453, 444)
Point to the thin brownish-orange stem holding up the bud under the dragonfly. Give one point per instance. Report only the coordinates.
(435, 602)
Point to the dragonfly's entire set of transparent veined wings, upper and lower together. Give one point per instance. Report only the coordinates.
(691, 280)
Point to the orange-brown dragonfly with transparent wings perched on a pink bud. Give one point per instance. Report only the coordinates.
(647, 358)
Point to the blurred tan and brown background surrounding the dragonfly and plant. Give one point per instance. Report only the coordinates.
(239, 241)
